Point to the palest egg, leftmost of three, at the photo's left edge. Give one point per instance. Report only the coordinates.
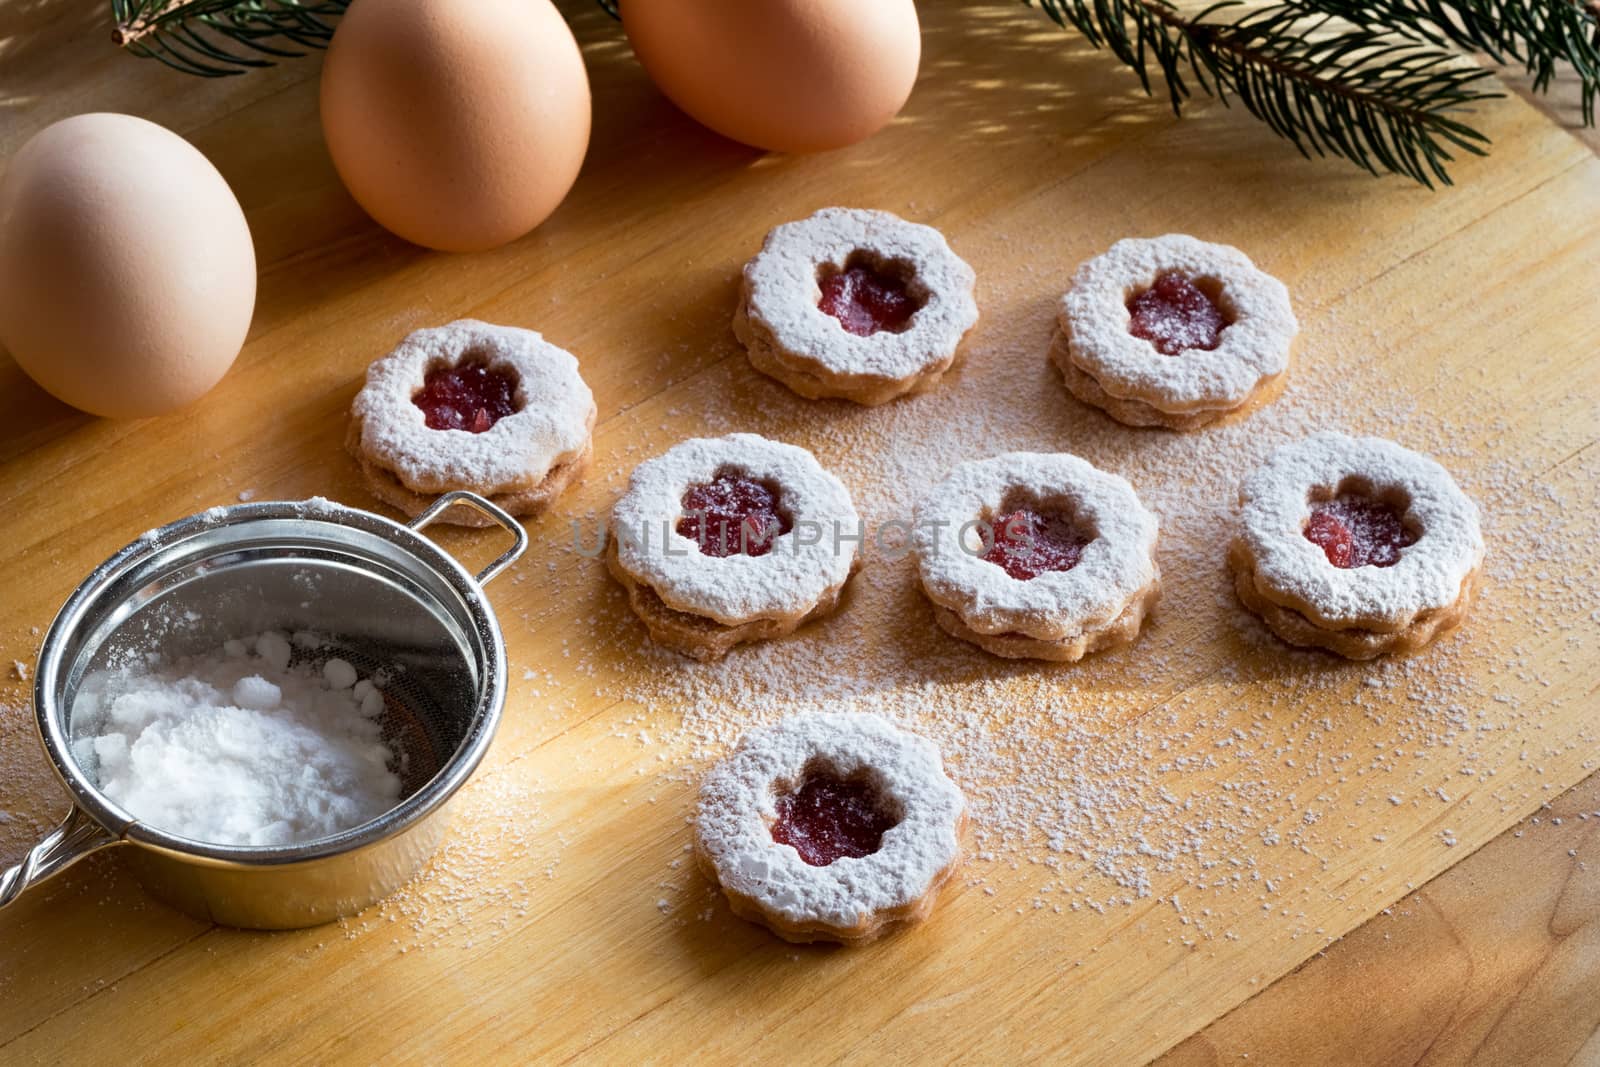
(127, 274)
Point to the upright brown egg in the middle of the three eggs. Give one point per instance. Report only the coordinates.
(457, 124)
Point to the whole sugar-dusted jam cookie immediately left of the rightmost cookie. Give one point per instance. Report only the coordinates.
(1038, 556)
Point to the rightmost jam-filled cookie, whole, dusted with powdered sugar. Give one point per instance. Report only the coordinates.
(1356, 545)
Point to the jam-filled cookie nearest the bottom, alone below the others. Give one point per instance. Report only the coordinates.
(831, 828)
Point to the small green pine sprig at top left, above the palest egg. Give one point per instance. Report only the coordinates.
(220, 38)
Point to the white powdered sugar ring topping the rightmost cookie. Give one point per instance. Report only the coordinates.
(1295, 572)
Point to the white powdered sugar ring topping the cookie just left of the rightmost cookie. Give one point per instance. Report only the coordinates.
(1116, 565)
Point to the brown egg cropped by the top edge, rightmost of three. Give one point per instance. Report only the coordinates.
(793, 76)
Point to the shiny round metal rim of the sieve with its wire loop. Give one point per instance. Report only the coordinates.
(121, 826)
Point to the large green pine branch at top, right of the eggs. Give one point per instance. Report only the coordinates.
(1329, 87)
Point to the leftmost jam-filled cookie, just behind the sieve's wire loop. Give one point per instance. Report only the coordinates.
(495, 410)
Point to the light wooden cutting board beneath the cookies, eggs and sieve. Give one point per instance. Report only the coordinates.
(1282, 799)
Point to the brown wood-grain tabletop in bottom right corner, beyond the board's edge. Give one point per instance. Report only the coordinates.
(1495, 962)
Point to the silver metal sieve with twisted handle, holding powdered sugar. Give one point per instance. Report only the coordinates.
(377, 594)
